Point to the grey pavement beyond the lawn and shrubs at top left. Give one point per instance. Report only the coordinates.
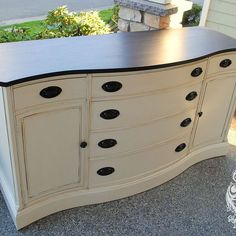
(18, 9)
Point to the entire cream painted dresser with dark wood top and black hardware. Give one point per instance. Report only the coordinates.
(92, 119)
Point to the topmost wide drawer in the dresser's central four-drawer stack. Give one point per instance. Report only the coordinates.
(146, 81)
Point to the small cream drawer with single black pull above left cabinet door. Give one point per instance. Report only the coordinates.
(46, 92)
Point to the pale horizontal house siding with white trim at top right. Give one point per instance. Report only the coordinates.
(221, 16)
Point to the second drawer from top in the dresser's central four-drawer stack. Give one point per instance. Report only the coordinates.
(142, 109)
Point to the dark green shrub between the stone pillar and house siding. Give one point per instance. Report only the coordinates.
(192, 17)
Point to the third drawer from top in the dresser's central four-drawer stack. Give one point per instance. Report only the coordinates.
(139, 137)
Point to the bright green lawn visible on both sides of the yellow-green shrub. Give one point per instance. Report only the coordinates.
(37, 26)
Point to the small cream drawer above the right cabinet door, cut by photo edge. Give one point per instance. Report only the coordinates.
(222, 63)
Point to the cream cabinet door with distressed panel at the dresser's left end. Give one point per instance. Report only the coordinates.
(51, 145)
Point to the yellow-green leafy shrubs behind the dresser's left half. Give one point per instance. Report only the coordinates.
(59, 23)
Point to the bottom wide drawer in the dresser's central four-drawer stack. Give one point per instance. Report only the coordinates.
(122, 169)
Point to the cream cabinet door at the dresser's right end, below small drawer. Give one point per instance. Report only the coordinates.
(218, 98)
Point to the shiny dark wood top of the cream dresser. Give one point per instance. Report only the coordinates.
(30, 60)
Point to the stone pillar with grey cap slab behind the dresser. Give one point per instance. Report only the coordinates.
(144, 15)
